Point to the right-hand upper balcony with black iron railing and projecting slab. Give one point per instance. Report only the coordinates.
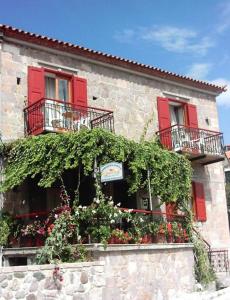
(199, 144)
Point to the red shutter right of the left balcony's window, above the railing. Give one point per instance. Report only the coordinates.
(79, 91)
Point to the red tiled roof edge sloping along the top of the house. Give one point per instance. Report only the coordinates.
(37, 39)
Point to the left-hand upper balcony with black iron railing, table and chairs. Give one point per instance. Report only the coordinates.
(49, 115)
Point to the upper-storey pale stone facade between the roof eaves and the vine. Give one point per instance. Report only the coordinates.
(133, 98)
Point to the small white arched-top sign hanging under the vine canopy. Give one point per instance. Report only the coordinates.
(111, 172)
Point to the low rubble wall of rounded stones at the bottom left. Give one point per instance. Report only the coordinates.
(35, 282)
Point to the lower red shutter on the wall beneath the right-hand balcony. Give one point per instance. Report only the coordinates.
(199, 198)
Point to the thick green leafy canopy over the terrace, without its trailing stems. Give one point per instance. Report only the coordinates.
(48, 156)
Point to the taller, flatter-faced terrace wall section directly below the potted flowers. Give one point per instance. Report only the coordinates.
(147, 272)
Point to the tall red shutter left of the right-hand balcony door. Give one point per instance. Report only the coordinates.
(164, 122)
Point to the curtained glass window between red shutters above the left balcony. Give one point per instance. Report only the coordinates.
(57, 87)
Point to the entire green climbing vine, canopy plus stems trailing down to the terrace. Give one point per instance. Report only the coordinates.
(47, 157)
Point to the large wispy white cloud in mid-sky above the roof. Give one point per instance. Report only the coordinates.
(178, 40)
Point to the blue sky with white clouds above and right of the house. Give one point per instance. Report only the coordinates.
(189, 37)
